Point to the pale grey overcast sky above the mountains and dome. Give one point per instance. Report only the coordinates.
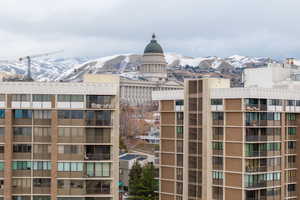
(97, 28)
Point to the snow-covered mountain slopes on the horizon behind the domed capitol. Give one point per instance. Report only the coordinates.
(72, 69)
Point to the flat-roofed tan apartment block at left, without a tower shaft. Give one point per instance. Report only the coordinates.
(59, 141)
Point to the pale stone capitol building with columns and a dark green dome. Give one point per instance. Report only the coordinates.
(154, 71)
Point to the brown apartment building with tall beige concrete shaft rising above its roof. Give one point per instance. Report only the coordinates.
(227, 143)
